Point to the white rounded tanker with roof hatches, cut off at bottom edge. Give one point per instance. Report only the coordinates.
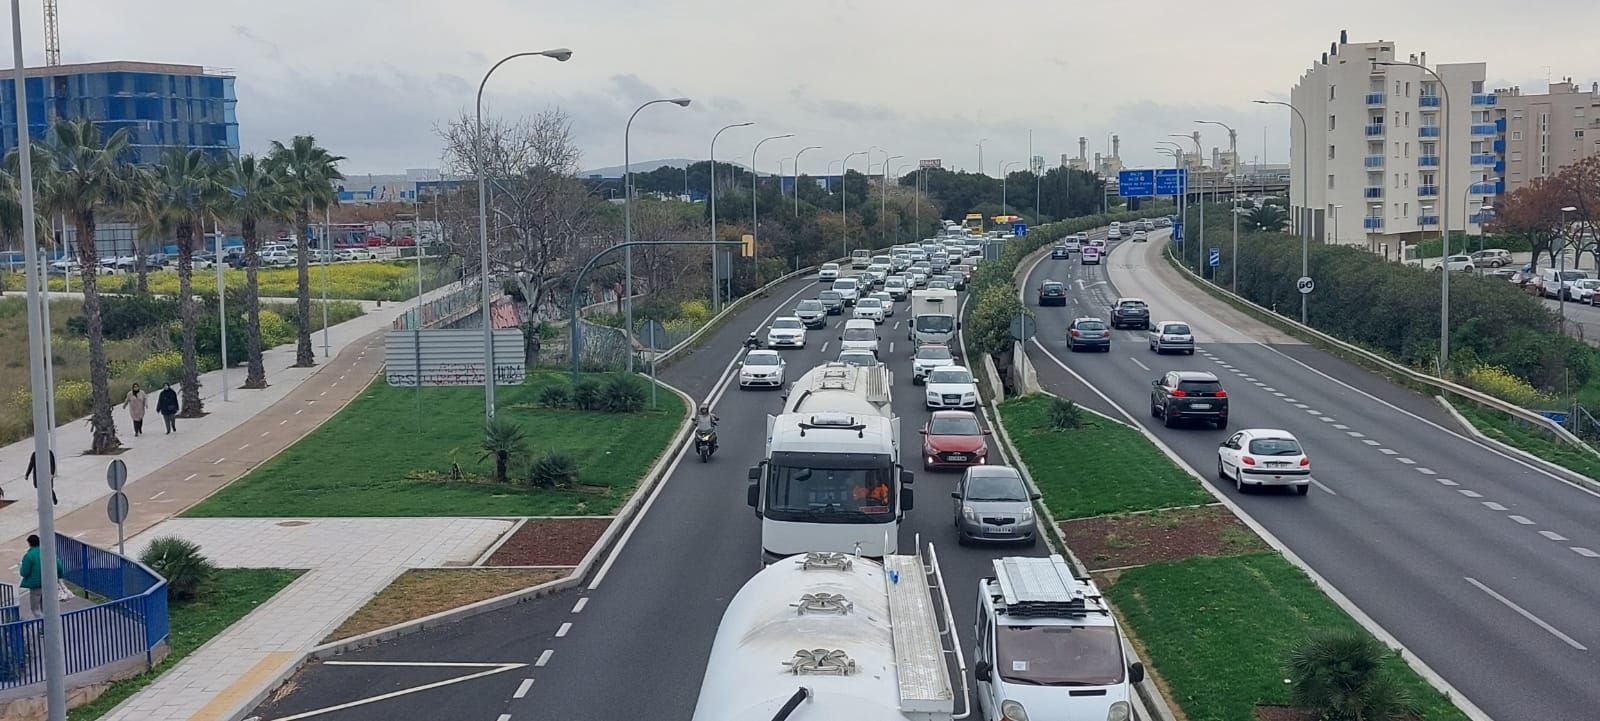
(868, 635)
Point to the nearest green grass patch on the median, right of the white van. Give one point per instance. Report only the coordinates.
(1220, 629)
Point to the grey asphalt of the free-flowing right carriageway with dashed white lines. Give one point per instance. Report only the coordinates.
(1481, 565)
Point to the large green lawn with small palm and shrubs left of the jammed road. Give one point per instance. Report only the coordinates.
(372, 461)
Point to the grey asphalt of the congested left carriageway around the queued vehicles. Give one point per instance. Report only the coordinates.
(633, 642)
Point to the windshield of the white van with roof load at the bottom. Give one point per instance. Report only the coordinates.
(1058, 656)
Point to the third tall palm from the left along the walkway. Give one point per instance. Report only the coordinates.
(257, 196)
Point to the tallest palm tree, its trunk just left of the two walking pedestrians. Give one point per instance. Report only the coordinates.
(86, 177)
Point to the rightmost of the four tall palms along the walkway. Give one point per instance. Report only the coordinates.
(308, 172)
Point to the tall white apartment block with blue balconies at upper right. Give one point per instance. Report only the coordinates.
(1385, 148)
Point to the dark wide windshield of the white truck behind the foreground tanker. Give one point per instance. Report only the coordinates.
(812, 490)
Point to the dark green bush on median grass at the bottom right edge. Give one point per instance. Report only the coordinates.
(1340, 677)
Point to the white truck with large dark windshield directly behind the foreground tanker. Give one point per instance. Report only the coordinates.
(833, 477)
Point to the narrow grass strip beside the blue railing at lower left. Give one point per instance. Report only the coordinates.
(196, 623)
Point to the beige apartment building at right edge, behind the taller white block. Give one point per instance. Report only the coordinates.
(1543, 133)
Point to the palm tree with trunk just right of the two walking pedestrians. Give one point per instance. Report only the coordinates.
(182, 193)
